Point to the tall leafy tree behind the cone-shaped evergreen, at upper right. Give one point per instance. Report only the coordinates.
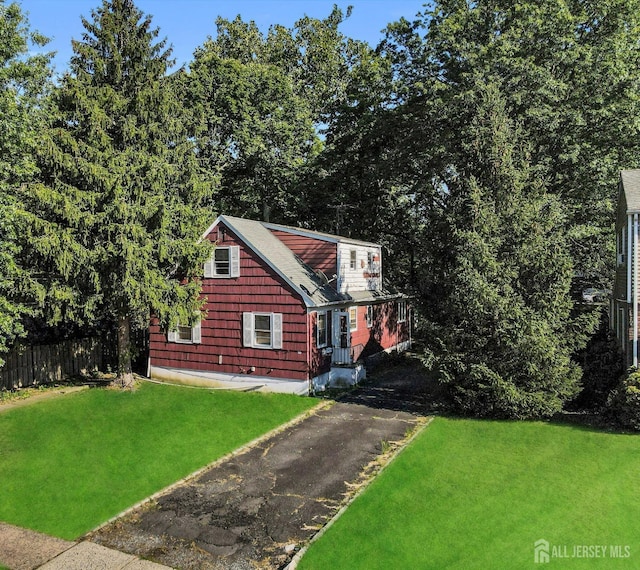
(569, 76)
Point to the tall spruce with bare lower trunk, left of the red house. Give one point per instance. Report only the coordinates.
(117, 219)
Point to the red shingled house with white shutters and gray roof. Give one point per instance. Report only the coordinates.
(288, 310)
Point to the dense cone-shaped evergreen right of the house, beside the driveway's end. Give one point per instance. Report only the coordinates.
(504, 318)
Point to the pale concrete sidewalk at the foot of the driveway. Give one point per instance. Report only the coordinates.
(23, 549)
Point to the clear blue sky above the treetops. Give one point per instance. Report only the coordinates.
(187, 23)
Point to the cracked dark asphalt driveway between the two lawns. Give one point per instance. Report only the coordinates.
(260, 507)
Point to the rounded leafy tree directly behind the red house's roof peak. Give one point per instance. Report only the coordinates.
(252, 131)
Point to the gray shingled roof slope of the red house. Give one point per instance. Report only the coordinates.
(292, 269)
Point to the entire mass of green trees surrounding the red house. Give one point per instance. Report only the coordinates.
(480, 143)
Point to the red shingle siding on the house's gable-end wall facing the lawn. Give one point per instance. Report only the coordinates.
(258, 289)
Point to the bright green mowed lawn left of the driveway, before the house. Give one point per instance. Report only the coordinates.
(70, 463)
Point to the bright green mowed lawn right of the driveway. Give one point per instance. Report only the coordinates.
(478, 494)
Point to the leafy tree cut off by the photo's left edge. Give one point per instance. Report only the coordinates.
(23, 82)
